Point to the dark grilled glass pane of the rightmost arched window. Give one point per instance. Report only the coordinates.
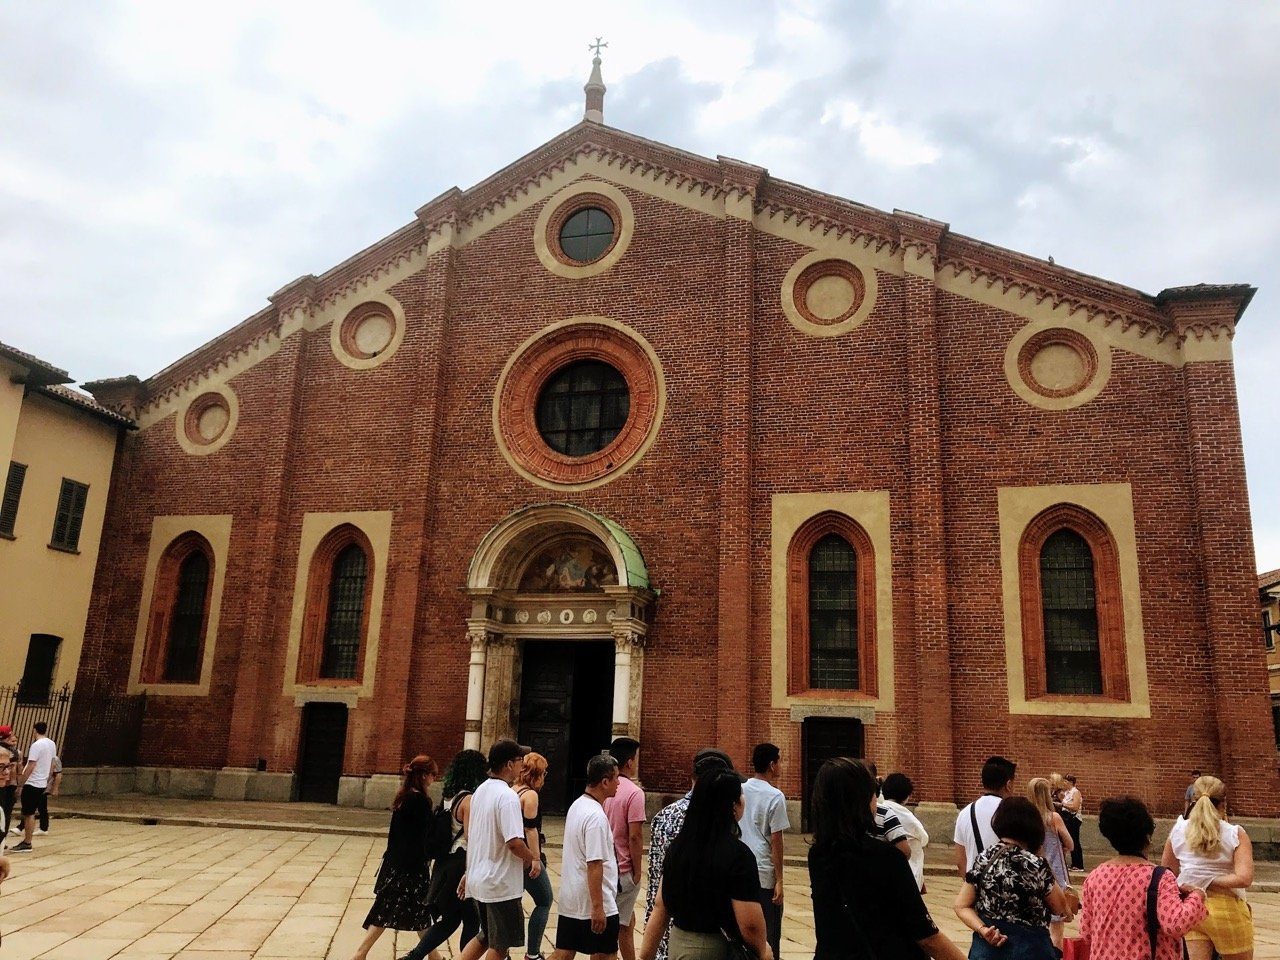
(1073, 657)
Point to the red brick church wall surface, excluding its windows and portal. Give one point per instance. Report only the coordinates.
(915, 401)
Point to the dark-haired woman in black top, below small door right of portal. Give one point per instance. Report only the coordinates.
(866, 902)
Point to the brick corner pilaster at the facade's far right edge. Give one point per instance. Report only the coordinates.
(1205, 318)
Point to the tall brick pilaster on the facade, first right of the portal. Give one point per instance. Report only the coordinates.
(737, 647)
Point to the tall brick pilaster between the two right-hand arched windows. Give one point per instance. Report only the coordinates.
(927, 648)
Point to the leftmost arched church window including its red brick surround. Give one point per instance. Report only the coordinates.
(180, 612)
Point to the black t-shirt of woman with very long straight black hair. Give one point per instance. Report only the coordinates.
(702, 903)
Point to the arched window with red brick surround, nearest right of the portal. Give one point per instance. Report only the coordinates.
(831, 609)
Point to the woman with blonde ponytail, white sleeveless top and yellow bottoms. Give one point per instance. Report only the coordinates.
(1214, 856)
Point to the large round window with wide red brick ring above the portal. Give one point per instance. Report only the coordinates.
(579, 404)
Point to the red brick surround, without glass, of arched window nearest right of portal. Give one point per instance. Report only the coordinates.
(799, 551)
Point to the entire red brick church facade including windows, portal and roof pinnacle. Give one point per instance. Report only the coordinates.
(625, 440)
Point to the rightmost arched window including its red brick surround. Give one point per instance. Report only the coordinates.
(1073, 619)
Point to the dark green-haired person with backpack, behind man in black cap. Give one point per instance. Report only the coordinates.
(447, 908)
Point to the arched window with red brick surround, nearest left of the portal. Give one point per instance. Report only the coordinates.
(337, 614)
